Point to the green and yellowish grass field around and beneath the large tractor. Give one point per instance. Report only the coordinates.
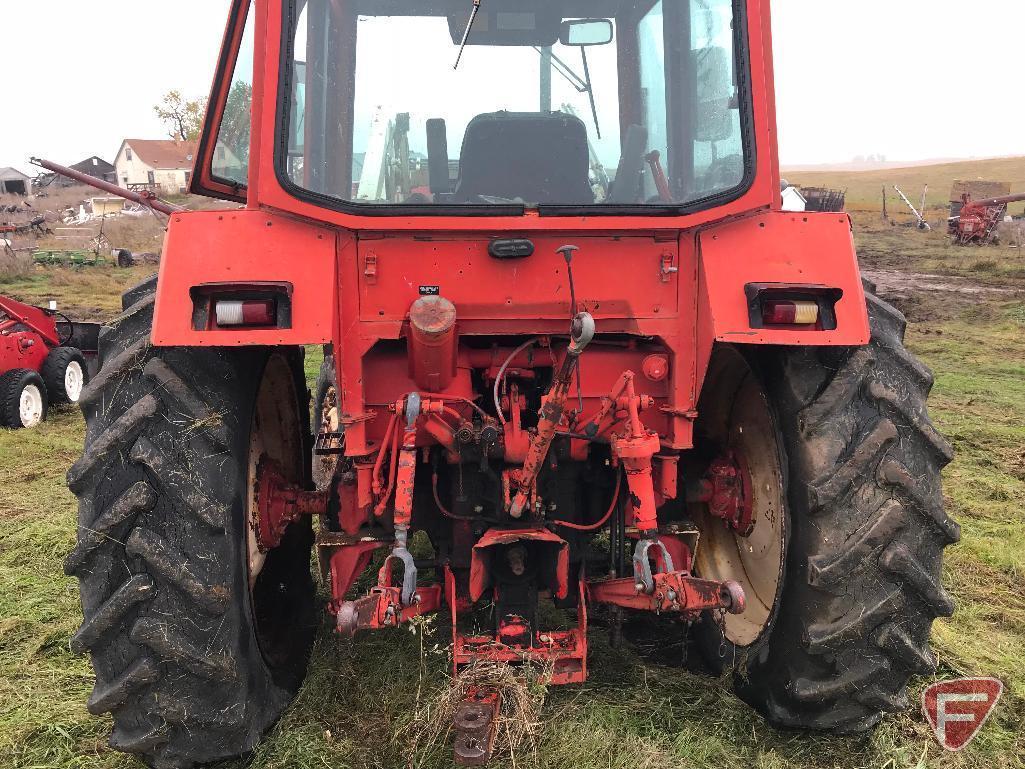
(631, 713)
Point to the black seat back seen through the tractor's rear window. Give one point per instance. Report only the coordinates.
(538, 157)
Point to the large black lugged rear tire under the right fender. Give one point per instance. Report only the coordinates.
(868, 534)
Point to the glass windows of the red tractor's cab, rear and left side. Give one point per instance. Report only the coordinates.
(452, 107)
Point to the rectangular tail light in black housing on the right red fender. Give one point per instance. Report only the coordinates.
(793, 306)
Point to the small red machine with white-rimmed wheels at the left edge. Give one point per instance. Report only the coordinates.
(39, 366)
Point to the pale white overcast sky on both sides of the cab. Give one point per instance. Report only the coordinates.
(909, 79)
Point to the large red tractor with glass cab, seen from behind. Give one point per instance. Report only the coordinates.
(579, 362)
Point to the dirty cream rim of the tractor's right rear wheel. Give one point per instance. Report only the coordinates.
(746, 426)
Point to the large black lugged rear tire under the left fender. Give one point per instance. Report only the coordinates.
(192, 664)
